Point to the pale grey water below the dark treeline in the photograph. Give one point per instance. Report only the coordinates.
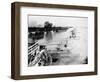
(76, 50)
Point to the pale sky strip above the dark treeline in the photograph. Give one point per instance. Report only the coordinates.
(57, 21)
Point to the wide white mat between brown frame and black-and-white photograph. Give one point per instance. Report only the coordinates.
(25, 70)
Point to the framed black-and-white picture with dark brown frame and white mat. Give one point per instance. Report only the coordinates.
(53, 40)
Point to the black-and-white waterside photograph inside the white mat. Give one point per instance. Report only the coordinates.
(57, 40)
